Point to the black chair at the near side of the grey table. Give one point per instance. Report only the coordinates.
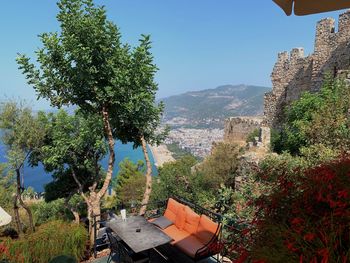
(122, 251)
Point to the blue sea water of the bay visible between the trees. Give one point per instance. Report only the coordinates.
(36, 177)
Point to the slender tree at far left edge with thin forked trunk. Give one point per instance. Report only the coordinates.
(22, 134)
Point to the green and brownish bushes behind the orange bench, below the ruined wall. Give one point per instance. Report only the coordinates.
(199, 183)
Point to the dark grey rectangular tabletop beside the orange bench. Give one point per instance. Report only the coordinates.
(149, 236)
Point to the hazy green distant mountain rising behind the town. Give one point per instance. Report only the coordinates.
(209, 108)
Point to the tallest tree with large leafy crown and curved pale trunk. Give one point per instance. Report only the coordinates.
(87, 65)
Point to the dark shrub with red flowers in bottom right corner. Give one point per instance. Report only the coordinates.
(304, 218)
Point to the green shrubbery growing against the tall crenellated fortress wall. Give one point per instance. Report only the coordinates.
(317, 118)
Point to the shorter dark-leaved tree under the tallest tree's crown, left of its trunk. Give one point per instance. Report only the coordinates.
(72, 150)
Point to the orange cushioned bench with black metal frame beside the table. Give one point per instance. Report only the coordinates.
(195, 235)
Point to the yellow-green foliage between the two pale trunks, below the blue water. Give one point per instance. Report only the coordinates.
(130, 182)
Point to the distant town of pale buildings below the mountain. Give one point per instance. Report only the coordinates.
(196, 141)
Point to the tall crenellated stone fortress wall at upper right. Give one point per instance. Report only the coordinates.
(294, 73)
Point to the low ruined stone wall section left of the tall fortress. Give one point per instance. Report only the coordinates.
(238, 128)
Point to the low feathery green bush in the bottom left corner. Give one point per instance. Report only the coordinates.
(50, 240)
